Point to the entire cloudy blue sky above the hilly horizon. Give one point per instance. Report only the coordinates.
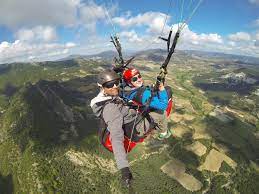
(36, 30)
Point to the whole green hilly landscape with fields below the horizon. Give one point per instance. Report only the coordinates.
(48, 133)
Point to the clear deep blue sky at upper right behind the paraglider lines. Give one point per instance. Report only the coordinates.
(222, 16)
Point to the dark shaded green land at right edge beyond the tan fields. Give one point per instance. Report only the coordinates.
(237, 136)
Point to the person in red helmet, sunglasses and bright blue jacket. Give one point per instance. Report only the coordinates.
(157, 102)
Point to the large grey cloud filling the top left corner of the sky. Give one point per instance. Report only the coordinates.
(70, 13)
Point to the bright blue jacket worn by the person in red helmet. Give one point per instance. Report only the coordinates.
(158, 102)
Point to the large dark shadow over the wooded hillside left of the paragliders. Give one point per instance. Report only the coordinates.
(54, 113)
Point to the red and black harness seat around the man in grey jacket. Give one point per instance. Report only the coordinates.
(131, 136)
